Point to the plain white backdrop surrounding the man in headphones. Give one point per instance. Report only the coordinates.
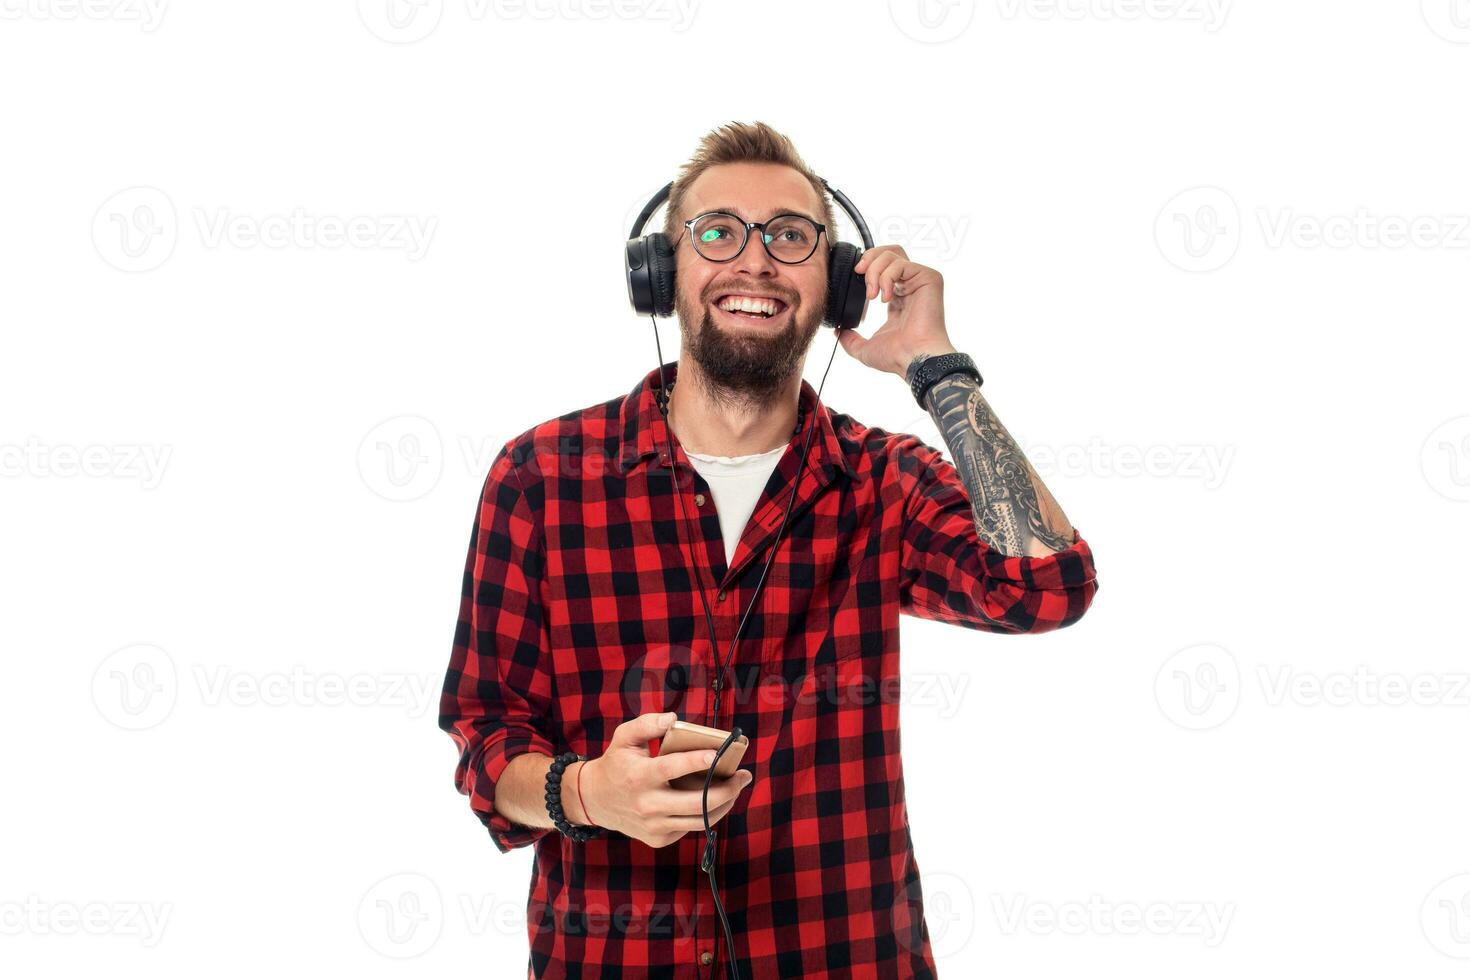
(1211, 256)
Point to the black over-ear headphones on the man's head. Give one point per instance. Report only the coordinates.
(650, 267)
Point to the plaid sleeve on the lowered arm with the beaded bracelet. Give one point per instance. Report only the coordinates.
(498, 691)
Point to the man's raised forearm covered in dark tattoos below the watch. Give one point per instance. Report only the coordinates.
(1015, 514)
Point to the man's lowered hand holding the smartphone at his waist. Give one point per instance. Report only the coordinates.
(627, 788)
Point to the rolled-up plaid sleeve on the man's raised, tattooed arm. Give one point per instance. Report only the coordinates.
(950, 575)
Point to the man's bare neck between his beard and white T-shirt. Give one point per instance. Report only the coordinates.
(725, 424)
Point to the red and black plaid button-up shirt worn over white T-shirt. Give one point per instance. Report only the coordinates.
(580, 612)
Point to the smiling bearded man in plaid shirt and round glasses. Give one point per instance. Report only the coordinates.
(583, 628)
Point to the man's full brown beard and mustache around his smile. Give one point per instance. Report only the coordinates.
(746, 367)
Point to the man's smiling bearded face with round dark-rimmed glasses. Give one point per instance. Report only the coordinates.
(737, 352)
